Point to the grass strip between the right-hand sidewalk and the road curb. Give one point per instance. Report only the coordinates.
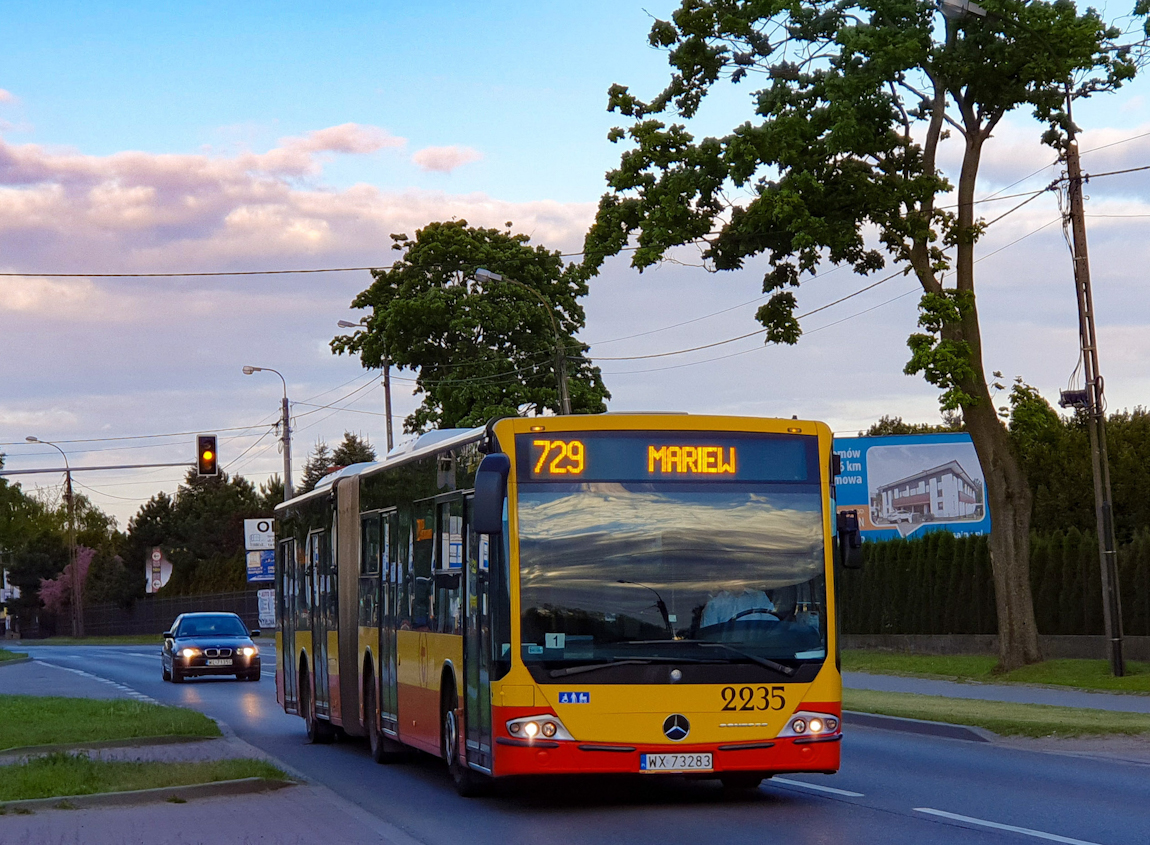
(1003, 718)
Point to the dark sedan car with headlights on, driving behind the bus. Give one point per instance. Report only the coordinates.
(210, 644)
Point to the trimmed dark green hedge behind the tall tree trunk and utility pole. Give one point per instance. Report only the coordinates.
(942, 585)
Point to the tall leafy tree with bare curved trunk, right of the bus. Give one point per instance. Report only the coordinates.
(841, 165)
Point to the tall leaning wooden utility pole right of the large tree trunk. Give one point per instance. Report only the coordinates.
(1095, 410)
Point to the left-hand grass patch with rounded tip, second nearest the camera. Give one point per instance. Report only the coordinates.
(32, 720)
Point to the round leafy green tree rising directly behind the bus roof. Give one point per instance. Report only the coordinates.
(482, 349)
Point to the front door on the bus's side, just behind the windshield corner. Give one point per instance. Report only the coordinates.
(478, 650)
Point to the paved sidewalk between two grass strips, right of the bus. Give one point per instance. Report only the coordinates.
(1022, 694)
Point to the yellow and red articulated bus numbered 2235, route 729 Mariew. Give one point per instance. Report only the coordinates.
(612, 594)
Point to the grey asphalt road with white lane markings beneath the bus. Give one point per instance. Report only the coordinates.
(893, 788)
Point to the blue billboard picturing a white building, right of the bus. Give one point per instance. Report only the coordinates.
(911, 485)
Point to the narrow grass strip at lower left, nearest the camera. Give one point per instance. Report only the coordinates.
(79, 775)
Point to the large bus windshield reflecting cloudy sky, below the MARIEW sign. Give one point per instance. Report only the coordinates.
(693, 573)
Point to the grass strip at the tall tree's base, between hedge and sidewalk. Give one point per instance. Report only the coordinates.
(1078, 674)
